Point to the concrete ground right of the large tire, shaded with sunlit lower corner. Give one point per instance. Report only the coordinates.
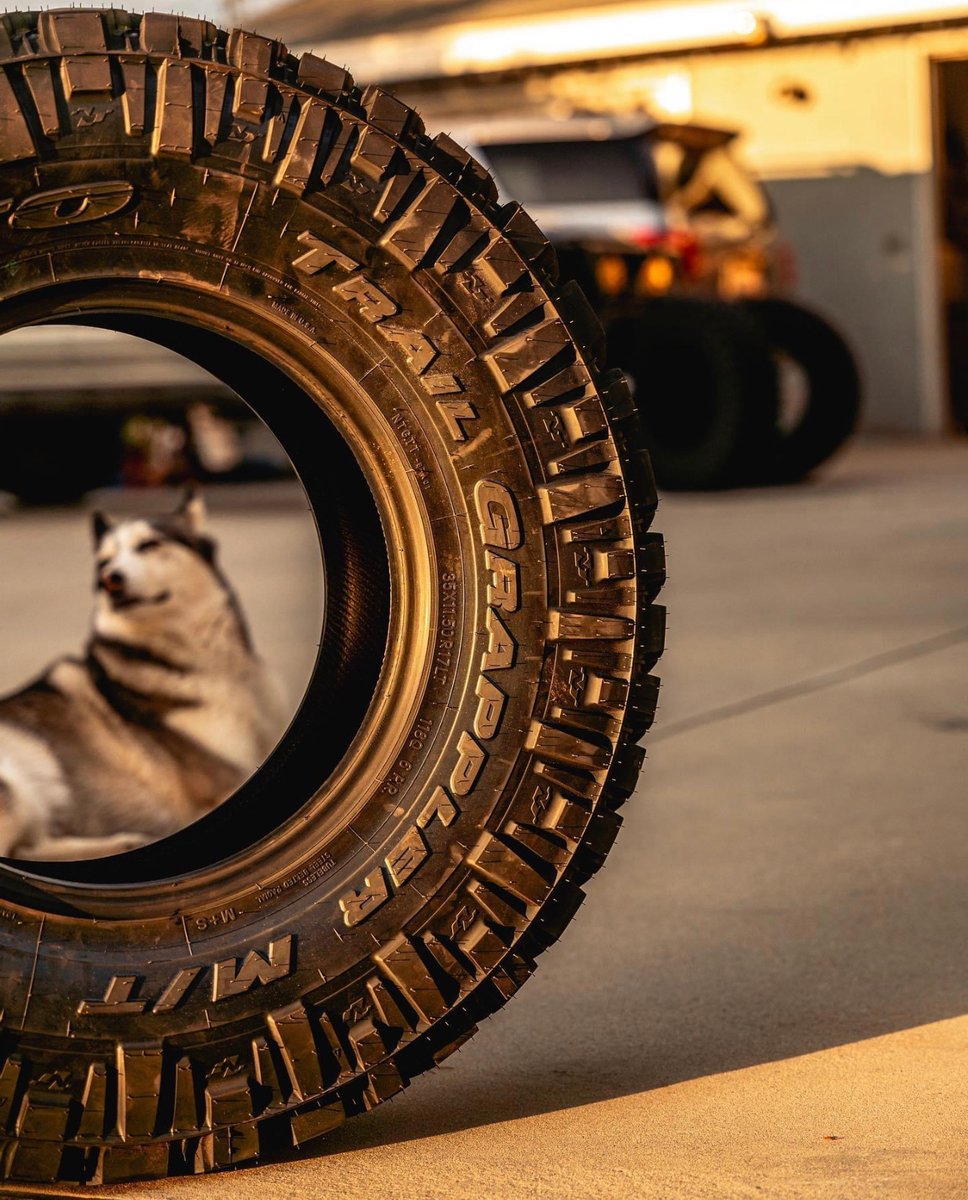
(767, 991)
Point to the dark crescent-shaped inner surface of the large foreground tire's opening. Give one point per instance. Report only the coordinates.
(353, 637)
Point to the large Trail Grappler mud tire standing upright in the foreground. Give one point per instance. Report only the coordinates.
(453, 778)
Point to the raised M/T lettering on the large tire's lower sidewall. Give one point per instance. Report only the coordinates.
(230, 977)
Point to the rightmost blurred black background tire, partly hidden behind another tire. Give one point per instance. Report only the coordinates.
(828, 411)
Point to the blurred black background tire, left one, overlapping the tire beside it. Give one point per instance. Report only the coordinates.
(706, 389)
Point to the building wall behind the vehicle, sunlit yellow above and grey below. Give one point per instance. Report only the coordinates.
(843, 135)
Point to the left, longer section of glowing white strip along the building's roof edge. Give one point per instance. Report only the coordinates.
(585, 34)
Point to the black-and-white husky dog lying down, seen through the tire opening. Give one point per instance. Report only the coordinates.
(163, 719)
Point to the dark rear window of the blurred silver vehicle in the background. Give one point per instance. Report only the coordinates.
(574, 172)
